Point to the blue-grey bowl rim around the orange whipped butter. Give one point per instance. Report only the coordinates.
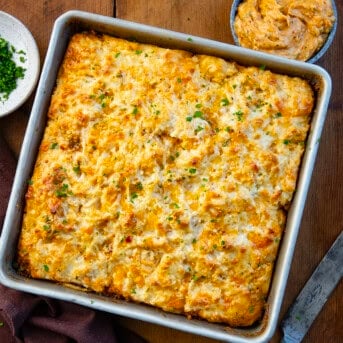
(316, 56)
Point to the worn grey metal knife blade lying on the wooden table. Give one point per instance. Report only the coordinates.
(314, 295)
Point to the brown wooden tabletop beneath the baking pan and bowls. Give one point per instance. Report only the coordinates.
(322, 220)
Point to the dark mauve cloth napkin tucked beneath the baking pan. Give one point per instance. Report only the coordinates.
(35, 319)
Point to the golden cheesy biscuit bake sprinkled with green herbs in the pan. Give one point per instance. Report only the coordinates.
(164, 177)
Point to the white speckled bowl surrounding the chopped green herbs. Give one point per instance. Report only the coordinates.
(17, 34)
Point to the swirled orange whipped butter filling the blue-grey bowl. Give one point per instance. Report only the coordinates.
(294, 29)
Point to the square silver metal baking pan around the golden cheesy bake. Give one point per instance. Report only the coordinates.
(76, 21)
